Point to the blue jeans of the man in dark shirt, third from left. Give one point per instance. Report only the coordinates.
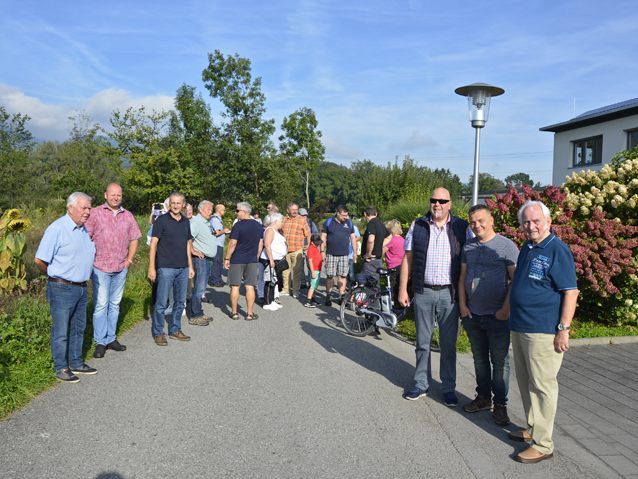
(175, 279)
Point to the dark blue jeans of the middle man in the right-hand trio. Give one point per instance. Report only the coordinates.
(490, 340)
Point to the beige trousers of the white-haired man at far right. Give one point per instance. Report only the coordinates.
(537, 365)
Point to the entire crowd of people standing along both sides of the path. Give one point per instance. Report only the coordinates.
(446, 267)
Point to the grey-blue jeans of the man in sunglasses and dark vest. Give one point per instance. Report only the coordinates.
(439, 306)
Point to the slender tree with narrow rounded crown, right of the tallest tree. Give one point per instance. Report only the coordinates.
(301, 145)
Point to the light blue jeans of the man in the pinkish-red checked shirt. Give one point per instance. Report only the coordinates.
(108, 289)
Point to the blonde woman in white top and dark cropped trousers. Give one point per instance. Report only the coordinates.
(275, 249)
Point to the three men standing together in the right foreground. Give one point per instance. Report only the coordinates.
(469, 271)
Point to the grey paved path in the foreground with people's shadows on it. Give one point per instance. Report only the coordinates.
(291, 396)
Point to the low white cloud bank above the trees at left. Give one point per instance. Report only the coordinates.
(51, 121)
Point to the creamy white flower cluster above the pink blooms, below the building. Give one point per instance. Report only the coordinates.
(611, 188)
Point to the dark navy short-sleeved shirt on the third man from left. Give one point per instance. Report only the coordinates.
(173, 236)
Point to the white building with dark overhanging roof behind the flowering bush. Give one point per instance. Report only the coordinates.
(590, 140)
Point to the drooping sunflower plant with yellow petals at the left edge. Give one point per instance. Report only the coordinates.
(12, 247)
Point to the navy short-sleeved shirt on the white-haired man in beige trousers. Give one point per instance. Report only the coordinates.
(543, 271)
